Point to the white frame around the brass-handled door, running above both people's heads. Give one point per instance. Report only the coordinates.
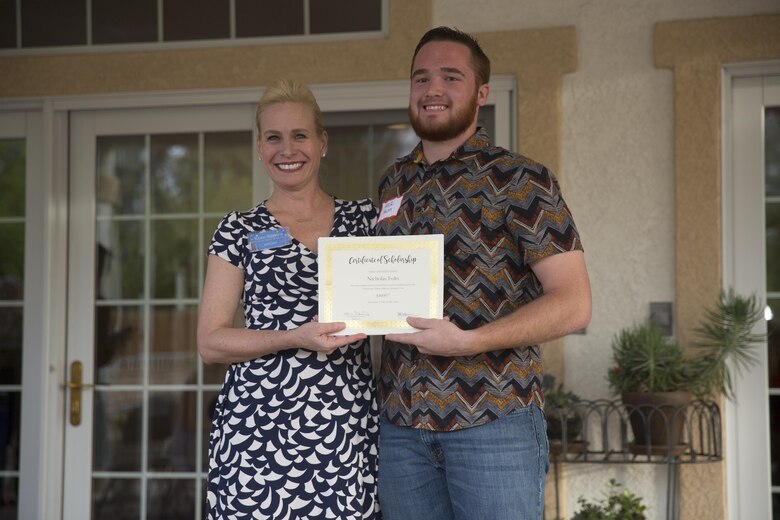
(46, 292)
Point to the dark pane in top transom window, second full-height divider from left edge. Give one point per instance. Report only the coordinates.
(49, 23)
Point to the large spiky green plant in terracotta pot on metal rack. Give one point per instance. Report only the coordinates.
(656, 381)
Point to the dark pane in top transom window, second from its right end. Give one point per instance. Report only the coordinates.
(268, 18)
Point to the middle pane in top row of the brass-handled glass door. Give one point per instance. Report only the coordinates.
(174, 169)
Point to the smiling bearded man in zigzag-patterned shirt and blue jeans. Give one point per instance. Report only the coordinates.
(463, 435)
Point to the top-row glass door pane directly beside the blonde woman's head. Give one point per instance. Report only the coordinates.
(228, 171)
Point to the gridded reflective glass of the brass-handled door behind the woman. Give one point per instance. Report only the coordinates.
(158, 200)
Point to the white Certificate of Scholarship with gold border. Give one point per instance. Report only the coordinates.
(374, 283)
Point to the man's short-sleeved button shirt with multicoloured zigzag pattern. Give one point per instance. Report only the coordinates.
(499, 212)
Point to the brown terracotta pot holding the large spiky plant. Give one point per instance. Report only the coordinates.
(657, 418)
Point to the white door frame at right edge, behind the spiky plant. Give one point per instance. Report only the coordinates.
(744, 253)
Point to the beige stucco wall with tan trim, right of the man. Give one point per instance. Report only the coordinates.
(618, 159)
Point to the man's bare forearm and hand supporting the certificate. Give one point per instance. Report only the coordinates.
(564, 307)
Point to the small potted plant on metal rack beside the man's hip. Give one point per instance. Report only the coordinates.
(563, 421)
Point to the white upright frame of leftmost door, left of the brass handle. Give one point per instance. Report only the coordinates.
(43, 337)
